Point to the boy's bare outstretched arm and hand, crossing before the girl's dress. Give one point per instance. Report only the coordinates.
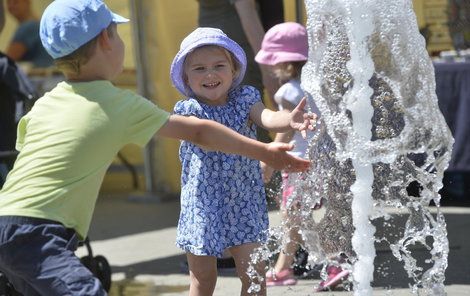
(214, 136)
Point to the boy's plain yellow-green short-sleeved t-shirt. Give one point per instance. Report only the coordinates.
(67, 142)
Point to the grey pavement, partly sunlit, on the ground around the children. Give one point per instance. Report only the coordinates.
(137, 238)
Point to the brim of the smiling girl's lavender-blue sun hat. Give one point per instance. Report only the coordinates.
(177, 67)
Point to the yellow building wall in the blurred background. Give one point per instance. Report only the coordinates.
(152, 39)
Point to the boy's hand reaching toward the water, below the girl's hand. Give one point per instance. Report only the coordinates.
(278, 158)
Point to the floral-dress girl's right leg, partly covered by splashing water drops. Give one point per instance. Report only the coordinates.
(241, 254)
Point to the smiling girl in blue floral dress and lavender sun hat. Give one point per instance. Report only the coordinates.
(223, 204)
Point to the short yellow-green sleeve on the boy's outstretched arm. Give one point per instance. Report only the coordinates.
(144, 119)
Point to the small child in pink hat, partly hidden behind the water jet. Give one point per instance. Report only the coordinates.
(285, 48)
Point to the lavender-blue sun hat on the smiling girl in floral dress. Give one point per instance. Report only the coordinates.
(201, 37)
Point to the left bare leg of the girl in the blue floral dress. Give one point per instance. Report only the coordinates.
(203, 274)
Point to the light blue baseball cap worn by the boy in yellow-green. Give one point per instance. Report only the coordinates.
(68, 24)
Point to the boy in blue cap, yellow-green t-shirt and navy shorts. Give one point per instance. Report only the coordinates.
(68, 140)
